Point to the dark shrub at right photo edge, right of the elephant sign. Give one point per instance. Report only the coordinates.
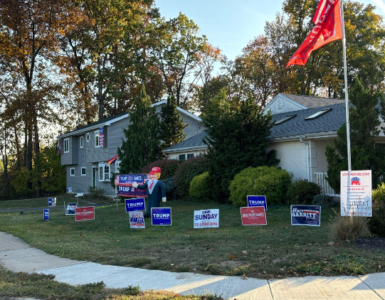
(376, 223)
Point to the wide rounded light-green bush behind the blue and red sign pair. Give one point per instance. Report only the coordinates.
(269, 181)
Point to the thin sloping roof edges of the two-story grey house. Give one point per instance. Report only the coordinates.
(108, 121)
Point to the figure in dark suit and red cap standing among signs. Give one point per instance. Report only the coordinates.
(156, 190)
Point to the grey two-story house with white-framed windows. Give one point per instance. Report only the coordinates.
(89, 152)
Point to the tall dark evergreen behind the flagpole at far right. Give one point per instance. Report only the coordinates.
(364, 127)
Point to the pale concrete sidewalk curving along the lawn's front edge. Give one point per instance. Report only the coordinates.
(18, 256)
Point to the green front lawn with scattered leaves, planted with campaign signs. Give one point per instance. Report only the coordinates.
(273, 251)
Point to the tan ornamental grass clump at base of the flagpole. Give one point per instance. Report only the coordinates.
(348, 228)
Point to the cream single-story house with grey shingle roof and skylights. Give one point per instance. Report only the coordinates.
(304, 126)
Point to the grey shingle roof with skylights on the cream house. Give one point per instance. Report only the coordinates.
(296, 126)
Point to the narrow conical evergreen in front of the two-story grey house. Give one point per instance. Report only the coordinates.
(142, 142)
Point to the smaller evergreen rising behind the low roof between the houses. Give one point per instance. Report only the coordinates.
(171, 126)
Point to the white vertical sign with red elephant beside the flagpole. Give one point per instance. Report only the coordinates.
(356, 193)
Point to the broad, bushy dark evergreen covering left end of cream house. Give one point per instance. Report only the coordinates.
(237, 134)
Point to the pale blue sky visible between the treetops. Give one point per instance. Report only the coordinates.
(231, 24)
